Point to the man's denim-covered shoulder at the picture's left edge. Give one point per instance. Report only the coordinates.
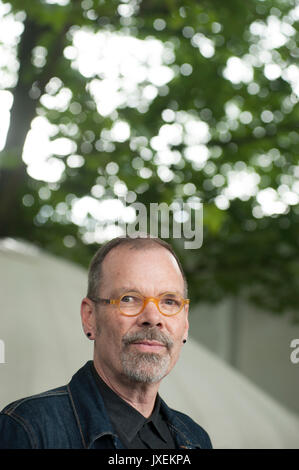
(21, 419)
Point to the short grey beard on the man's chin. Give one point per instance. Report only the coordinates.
(144, 367)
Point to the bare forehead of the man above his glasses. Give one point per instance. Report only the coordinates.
(150, 270)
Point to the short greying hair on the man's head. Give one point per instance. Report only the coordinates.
(141, 242)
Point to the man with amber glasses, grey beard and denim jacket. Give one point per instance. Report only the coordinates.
(136, 312)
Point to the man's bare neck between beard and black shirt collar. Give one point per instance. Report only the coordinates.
(140, 396)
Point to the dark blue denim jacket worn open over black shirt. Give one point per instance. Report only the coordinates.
(74, 417)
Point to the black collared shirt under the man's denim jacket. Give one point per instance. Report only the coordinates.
(133, 429)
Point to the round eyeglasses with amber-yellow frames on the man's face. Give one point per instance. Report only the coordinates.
(132, 304)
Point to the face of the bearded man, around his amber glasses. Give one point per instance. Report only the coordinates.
(146, 347)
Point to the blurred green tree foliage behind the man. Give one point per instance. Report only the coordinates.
(241, 254)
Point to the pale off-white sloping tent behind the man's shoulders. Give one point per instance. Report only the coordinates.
(44, 345)
